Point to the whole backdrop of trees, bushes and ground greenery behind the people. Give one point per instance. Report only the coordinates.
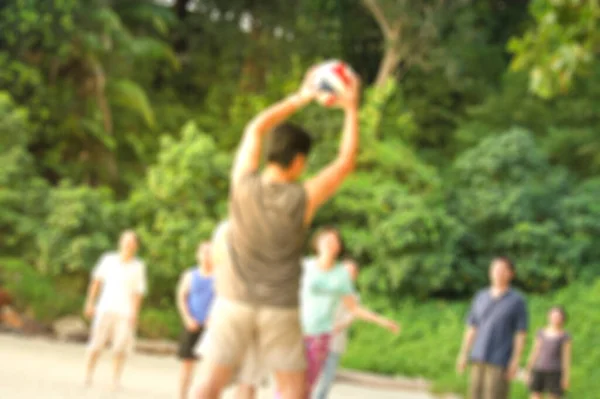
(479, 137)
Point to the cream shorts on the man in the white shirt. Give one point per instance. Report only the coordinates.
(114, 328)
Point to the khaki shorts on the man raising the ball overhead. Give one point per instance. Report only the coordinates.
(237, 330)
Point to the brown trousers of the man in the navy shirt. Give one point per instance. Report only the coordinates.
(488, 382)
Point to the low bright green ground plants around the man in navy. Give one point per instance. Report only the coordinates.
(432, 335)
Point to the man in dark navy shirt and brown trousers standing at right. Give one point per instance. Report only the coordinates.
(495, 335)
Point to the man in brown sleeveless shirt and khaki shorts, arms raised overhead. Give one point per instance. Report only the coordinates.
(270, 212)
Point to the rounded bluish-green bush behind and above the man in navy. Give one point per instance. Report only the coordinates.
(510, 199)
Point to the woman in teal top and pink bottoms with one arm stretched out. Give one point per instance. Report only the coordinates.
(327, 283)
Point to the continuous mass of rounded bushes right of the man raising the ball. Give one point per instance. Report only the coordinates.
(436, 237)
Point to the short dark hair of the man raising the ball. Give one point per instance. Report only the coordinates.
(286, 142)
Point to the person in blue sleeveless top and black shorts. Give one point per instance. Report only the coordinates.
(195, 294)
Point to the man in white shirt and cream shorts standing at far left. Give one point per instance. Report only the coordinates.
(120, 278)
